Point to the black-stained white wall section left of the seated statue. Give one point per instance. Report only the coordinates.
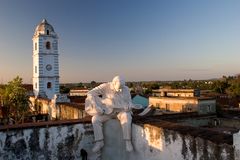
(56, 142)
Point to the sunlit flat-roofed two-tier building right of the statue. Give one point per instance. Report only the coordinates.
(182, 100)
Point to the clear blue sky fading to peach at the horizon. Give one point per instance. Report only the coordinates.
(139, 39)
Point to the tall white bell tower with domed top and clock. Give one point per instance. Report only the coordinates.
(45, 61)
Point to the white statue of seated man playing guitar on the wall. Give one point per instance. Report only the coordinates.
(110, 100)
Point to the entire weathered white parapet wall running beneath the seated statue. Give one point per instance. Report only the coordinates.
(65, 139)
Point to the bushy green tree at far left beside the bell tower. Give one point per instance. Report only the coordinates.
(15, 100)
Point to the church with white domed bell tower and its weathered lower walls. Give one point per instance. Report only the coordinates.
(47, 99)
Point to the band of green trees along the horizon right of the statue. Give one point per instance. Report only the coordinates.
(226, 85)
